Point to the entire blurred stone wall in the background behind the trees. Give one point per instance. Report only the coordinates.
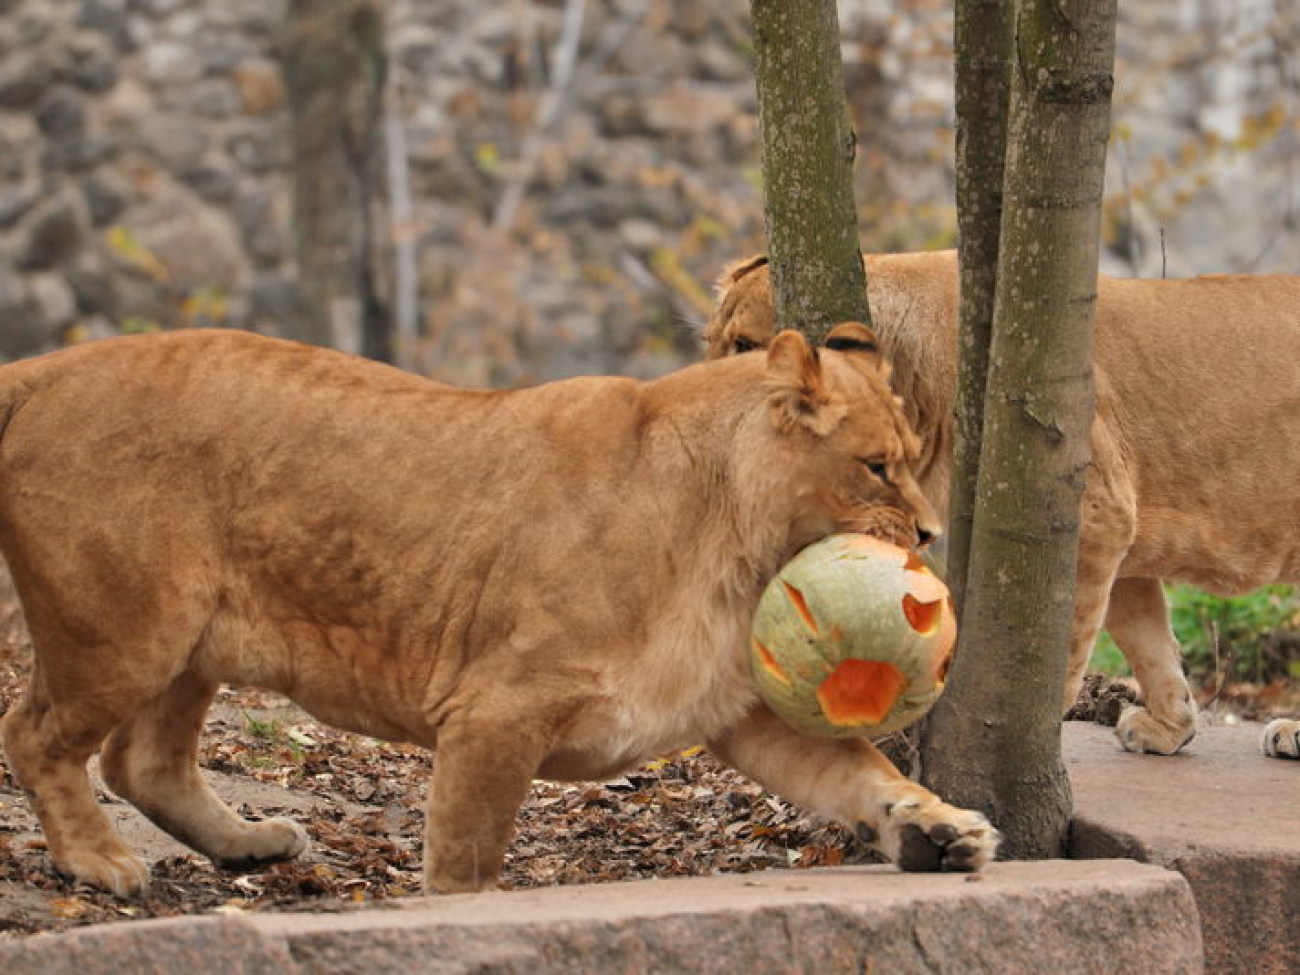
(539, 228)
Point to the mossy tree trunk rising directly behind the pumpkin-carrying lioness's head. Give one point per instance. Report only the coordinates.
(809, 146)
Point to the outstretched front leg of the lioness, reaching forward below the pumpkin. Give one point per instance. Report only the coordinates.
(850, 781)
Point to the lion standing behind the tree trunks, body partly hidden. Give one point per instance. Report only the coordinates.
(1195, 467)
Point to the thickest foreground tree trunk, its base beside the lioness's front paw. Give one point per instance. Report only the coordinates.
(996, 743)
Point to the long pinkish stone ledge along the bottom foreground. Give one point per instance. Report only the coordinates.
(1054, 916)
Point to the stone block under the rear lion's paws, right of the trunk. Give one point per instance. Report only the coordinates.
(1221, 814)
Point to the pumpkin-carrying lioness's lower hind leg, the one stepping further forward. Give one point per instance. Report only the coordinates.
(153, 762)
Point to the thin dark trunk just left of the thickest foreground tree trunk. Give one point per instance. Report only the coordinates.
(983, 36)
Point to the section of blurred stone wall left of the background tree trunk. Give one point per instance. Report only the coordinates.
(144, 167)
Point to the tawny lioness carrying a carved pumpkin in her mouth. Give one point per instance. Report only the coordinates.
(552, 582)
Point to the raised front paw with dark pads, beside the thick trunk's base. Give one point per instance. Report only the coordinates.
(929, 837)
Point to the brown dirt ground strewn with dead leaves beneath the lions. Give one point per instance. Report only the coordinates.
(361, 800)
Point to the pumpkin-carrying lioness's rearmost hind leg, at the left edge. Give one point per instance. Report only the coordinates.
(47, 744)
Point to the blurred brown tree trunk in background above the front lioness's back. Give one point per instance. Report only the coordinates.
(335, 68)
